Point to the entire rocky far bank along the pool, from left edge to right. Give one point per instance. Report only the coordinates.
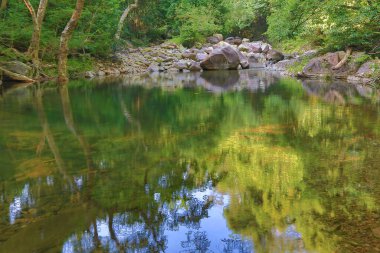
(232, 53)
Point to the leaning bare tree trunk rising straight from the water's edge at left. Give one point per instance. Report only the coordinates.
(64, 41)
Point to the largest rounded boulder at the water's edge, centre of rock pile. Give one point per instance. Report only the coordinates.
(222, 58)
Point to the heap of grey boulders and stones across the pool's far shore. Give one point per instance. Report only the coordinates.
(217, 54)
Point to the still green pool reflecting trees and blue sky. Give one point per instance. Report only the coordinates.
(222, 162)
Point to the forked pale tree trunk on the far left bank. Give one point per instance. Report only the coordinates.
(37, 19)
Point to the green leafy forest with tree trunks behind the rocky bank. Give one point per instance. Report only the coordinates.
(51, 32)
